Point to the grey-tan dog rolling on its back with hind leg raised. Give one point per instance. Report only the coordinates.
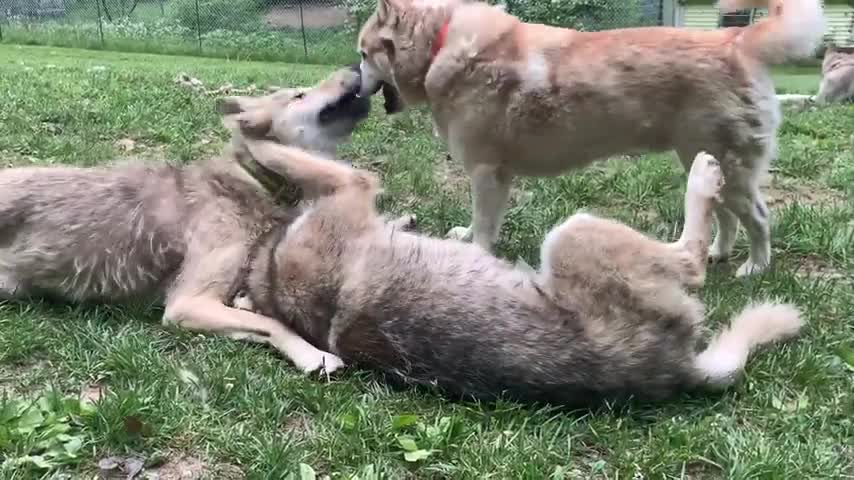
(606, 316)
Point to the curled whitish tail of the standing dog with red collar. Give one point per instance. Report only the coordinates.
(793, 29)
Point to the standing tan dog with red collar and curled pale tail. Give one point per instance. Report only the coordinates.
(512, 98)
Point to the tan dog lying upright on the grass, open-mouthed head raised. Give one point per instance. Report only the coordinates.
(176, 233)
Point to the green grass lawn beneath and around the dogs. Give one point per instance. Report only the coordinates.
(170, 399)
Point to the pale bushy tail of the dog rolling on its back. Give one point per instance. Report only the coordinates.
(719, 365)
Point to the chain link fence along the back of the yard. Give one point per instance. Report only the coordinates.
(309, 31)
